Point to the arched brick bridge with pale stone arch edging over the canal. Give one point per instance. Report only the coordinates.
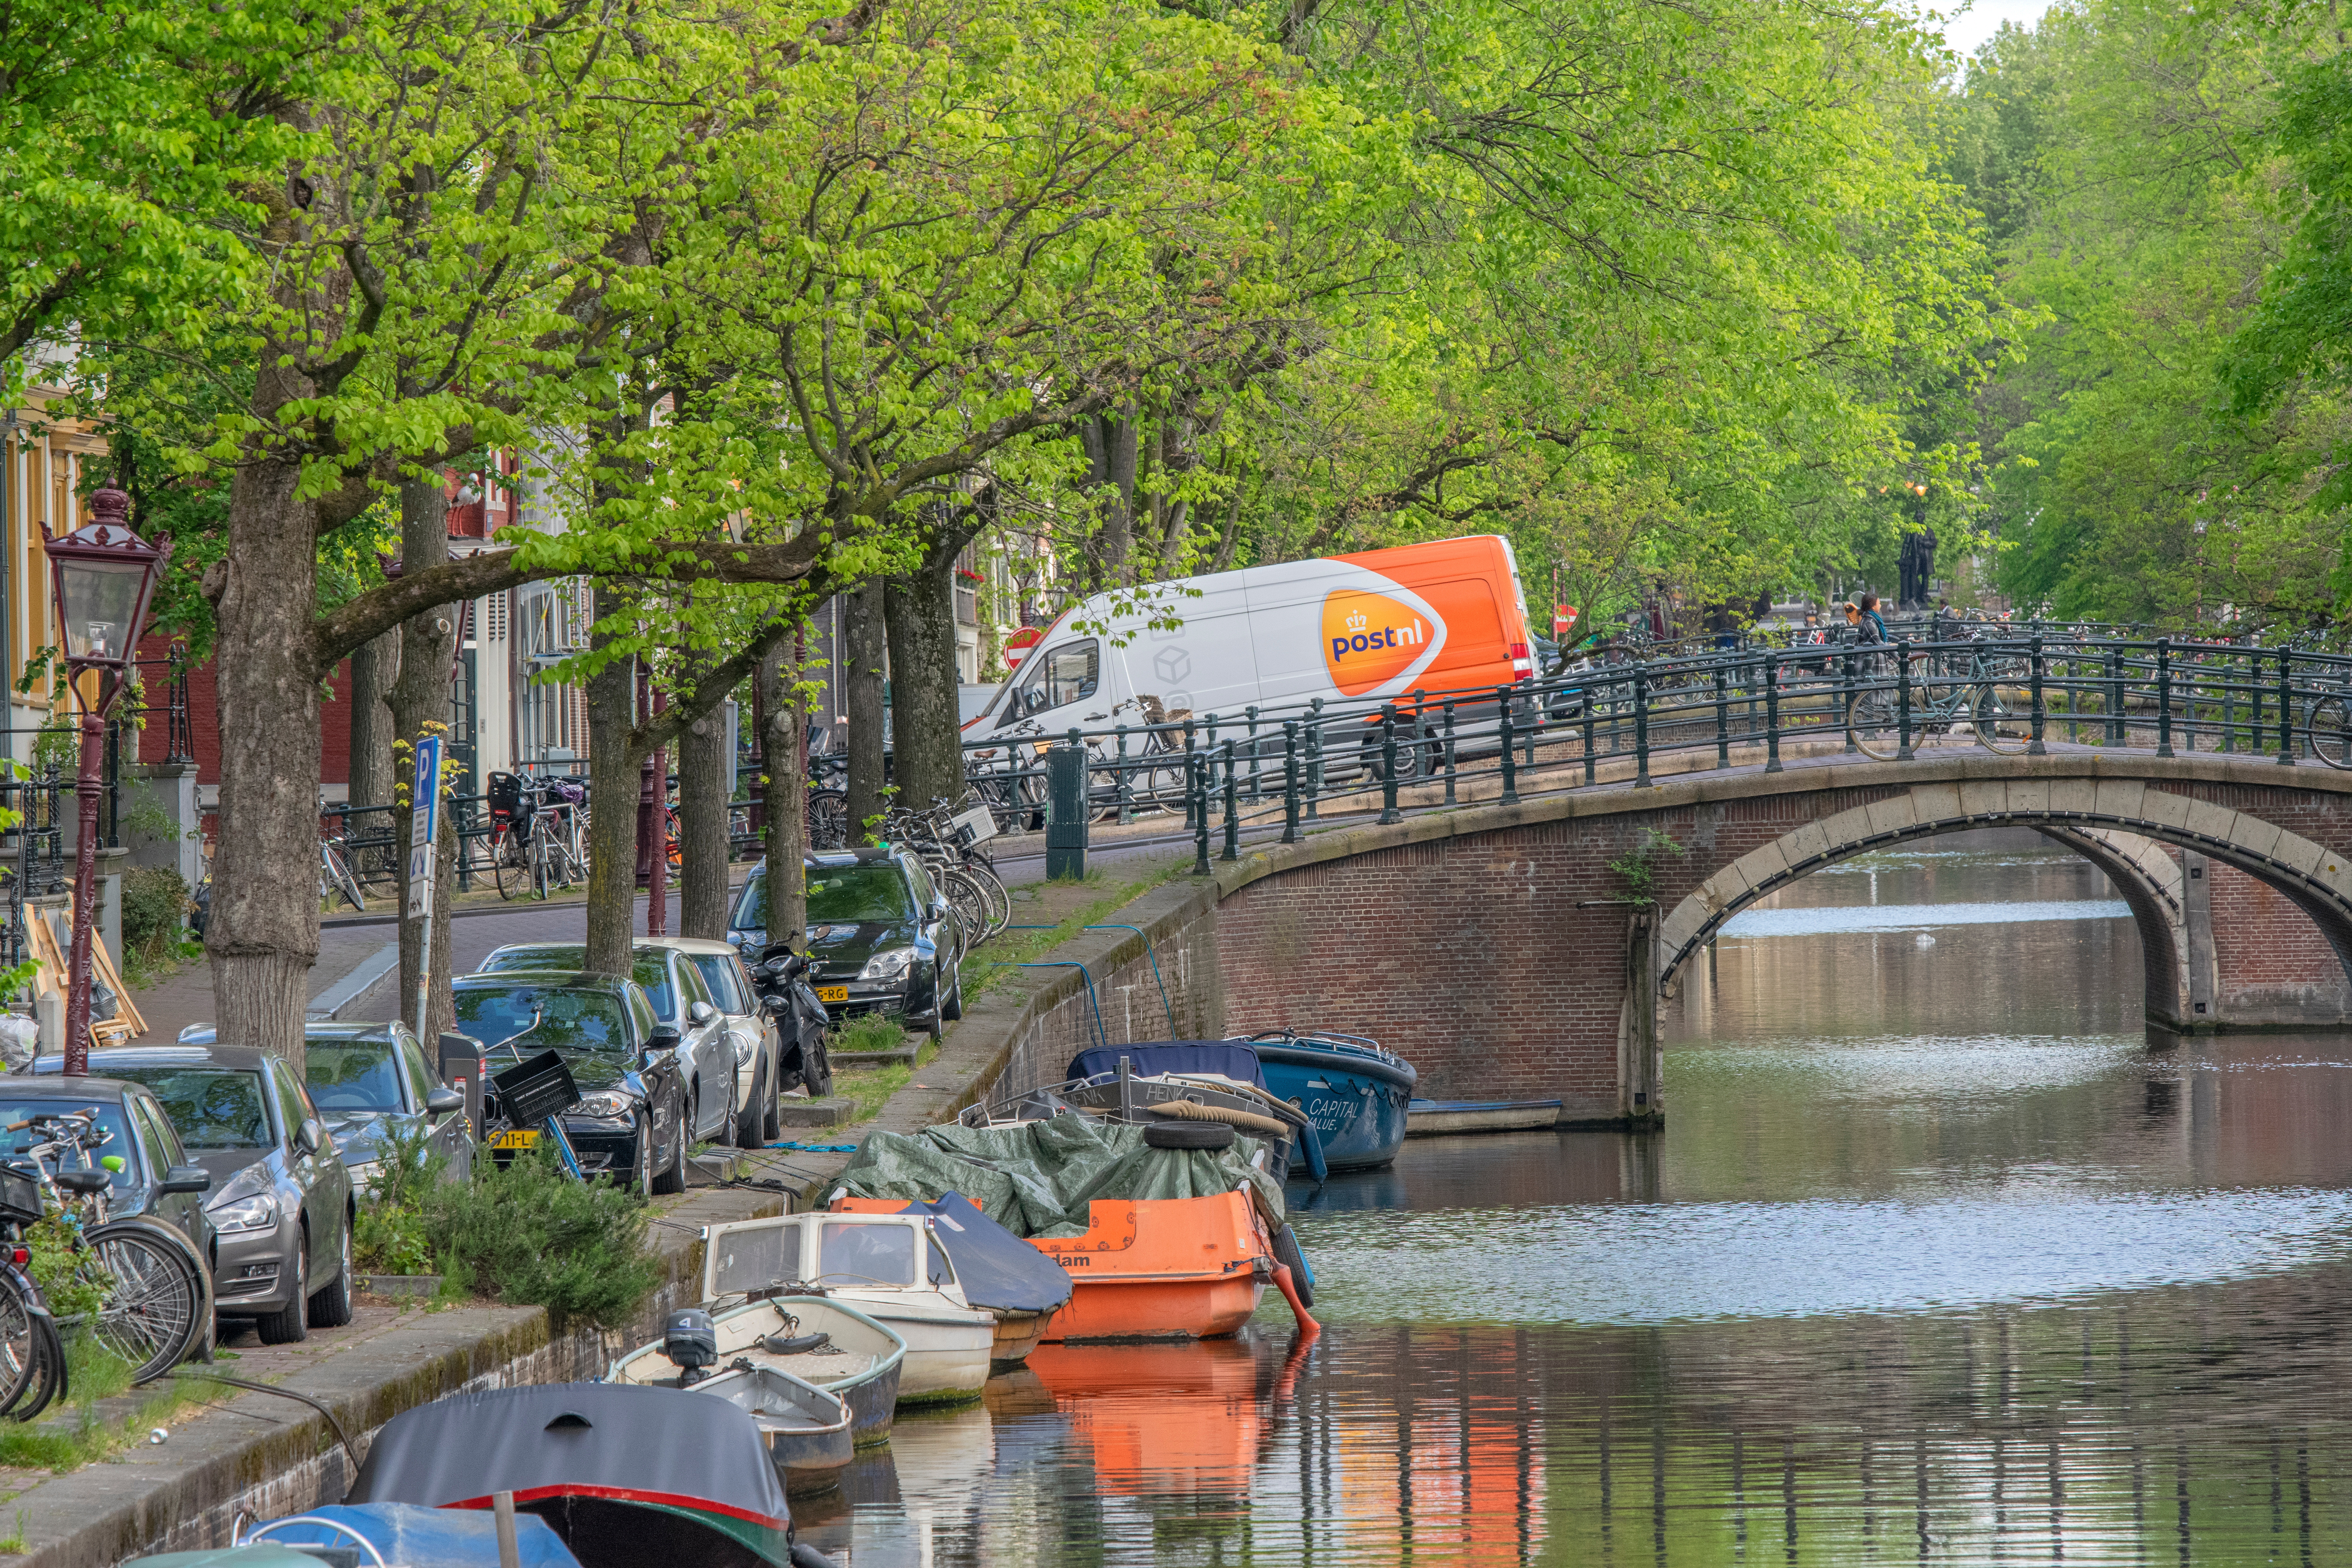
(1492, 944)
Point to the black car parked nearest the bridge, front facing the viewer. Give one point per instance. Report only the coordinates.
(881, 937)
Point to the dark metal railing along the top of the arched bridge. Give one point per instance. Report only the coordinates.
(1718, 709)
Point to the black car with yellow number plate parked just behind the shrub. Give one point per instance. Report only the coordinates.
(634, 1111)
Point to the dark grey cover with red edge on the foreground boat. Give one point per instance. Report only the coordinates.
(669, 1452)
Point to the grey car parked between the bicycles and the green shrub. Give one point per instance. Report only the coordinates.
(281, 1200)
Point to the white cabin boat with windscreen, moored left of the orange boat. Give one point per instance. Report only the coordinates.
(888, 1266)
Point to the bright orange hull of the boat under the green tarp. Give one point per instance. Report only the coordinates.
(1161, 1268)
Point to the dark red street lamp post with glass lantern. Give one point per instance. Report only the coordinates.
(105, 577)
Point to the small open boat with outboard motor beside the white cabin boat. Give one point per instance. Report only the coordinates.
(803, 1336)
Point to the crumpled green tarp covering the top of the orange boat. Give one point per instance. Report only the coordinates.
(1038, 1179)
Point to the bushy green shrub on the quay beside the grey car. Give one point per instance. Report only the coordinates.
(535, 1238)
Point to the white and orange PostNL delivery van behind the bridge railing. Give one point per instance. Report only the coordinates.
(1347, 629)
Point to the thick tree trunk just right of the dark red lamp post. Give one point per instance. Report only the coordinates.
(265, 892)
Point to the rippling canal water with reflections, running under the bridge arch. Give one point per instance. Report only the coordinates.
(1937, 1261)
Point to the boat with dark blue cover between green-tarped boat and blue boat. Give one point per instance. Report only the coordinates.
(1172, 1080)
